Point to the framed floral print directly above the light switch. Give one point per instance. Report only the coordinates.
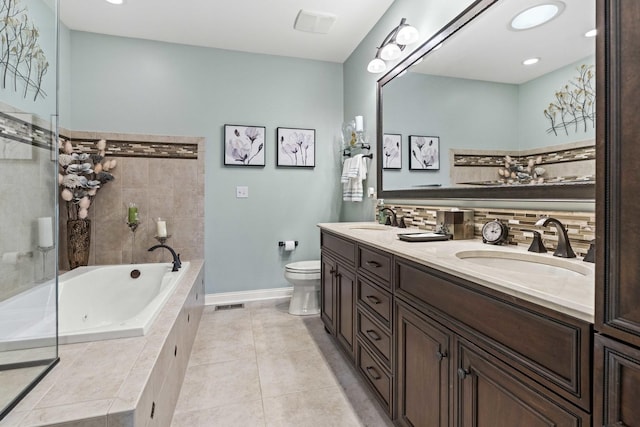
(244, 145)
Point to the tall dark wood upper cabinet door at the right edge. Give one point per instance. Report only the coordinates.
(618, 184)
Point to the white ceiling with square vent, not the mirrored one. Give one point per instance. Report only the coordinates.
(258, 26)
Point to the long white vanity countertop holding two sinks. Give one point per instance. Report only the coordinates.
(574, 296)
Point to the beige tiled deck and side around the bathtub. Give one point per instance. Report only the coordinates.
(121, 382)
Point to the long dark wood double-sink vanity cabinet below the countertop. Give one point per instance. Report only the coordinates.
(441, 351)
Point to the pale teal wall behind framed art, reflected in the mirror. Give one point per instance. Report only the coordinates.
(465, 114)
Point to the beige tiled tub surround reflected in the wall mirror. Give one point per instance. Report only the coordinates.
(571, 162)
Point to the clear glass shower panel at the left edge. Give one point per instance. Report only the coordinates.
(28, 195)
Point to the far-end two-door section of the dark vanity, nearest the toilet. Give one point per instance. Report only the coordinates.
(338, 292)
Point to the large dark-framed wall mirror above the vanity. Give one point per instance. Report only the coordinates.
(464, 117)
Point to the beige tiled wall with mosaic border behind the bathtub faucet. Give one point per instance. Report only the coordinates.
(164, 177)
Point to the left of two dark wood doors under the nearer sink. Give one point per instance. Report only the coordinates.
(423, 370)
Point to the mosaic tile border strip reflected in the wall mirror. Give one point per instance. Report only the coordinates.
(560, 156)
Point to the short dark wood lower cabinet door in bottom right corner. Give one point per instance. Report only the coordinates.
(616, 384)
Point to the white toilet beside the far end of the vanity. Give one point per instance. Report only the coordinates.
(305, 278)
